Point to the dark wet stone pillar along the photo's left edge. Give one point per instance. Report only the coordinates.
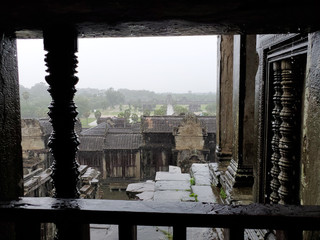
(11, 173)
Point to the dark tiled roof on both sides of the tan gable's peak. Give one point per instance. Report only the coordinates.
(166, 124)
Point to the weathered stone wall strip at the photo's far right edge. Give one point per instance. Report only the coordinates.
(310, 154)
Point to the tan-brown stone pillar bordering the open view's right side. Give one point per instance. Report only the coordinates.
(224, 130)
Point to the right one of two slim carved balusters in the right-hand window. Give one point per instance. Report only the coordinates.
(287, 131)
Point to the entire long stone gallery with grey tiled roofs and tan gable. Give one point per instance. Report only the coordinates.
(135, 153)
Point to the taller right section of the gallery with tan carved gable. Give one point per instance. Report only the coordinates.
(176, 140)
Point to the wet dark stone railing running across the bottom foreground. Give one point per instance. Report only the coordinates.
(181, 215)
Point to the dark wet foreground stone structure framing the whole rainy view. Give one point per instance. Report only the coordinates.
(274, 149)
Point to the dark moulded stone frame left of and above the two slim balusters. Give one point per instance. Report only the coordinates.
(269, 48)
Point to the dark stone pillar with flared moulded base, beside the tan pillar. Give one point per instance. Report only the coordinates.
(238, 179)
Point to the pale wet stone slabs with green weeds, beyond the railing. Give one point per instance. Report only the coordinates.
(172, 186)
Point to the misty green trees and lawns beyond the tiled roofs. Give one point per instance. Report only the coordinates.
(96, 103)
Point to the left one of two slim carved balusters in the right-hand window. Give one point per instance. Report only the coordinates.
(275, 170)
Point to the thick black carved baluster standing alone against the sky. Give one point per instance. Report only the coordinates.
(61, 44)
